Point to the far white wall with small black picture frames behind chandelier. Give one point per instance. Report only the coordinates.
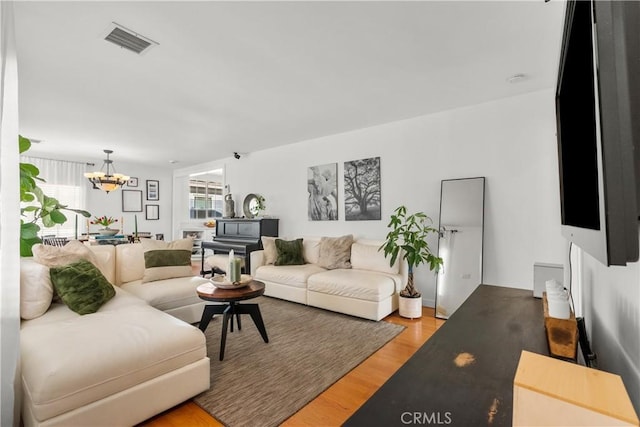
(100, 203)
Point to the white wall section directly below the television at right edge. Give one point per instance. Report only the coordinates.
(611, 309)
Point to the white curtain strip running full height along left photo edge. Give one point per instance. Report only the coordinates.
(9, 223)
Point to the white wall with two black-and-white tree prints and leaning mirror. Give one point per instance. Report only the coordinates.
(511, 142)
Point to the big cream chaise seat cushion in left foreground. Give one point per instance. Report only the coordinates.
(137, 343)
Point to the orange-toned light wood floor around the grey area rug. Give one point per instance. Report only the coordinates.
(336, 404)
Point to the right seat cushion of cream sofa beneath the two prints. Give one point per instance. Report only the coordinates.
(358, 284)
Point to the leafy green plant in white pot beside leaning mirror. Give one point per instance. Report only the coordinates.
(408, 239)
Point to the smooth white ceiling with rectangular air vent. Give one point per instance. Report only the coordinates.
(245, 76)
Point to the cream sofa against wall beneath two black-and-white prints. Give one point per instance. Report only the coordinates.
(368, 289)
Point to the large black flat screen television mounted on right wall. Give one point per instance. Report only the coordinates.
(598, 128)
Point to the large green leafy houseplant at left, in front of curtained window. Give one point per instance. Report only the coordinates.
(40, 206)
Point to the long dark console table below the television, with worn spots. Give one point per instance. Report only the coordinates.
(488, 332)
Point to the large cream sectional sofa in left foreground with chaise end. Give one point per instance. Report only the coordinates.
(130, 360)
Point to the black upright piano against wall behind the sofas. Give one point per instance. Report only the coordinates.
(241, 235)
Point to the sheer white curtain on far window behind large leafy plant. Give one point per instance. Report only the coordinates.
(65, 181)
